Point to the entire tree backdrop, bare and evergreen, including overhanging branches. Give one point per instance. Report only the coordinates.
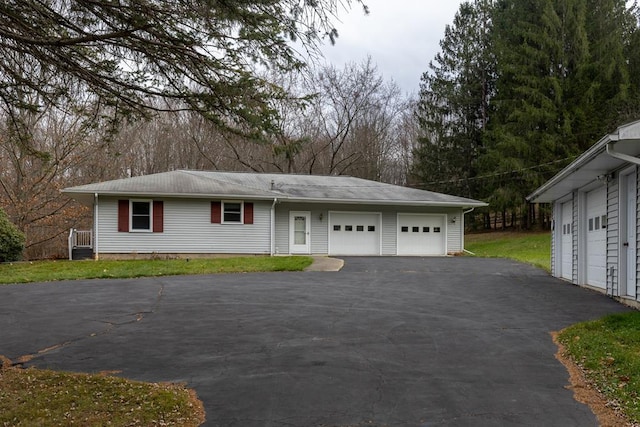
(89, 92)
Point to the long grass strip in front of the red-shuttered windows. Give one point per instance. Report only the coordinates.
(44, 271)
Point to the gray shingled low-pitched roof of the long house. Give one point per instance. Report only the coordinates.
(261, 186)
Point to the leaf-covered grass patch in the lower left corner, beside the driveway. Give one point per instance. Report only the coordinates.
(37, 397)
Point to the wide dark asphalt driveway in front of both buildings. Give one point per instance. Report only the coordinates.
(386, 341)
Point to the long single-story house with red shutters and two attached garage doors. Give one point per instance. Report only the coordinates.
(182, 213)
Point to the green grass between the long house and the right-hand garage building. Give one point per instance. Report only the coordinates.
(532, 247)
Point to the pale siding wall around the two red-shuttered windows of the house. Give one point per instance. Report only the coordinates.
(187, 230)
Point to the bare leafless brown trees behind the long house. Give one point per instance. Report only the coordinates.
(352, 122)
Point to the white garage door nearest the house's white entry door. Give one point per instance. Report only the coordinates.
(354, 233)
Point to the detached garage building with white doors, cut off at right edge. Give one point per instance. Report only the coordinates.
(596, 216)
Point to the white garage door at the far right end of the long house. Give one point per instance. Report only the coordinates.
(421, 234)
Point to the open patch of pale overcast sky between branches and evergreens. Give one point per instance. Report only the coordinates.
(400, 36)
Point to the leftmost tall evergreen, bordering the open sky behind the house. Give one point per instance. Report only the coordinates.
(454, 103)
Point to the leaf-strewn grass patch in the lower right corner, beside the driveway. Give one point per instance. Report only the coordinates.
(608, 351)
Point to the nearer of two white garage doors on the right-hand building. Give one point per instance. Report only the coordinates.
(596, 238)
